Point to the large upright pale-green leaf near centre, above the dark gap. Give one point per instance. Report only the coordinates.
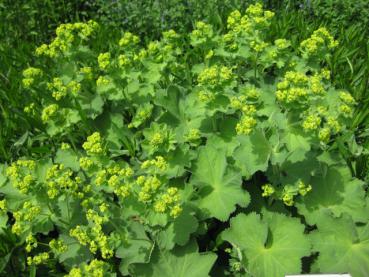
(220, 184)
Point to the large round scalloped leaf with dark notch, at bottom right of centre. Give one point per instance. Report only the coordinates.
(272, 246)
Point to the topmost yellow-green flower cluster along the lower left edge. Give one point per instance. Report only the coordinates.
(20, 174)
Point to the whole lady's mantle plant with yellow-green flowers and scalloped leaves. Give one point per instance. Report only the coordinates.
(200, 152)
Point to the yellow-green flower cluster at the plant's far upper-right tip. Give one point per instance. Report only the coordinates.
(319, 41)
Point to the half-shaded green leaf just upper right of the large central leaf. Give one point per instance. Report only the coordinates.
(253, 153)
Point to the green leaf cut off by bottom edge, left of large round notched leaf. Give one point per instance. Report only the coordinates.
(180, 262)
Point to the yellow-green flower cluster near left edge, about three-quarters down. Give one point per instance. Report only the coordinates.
(24, 216)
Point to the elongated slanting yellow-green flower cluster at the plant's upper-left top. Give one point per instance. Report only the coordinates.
(66, 34)
